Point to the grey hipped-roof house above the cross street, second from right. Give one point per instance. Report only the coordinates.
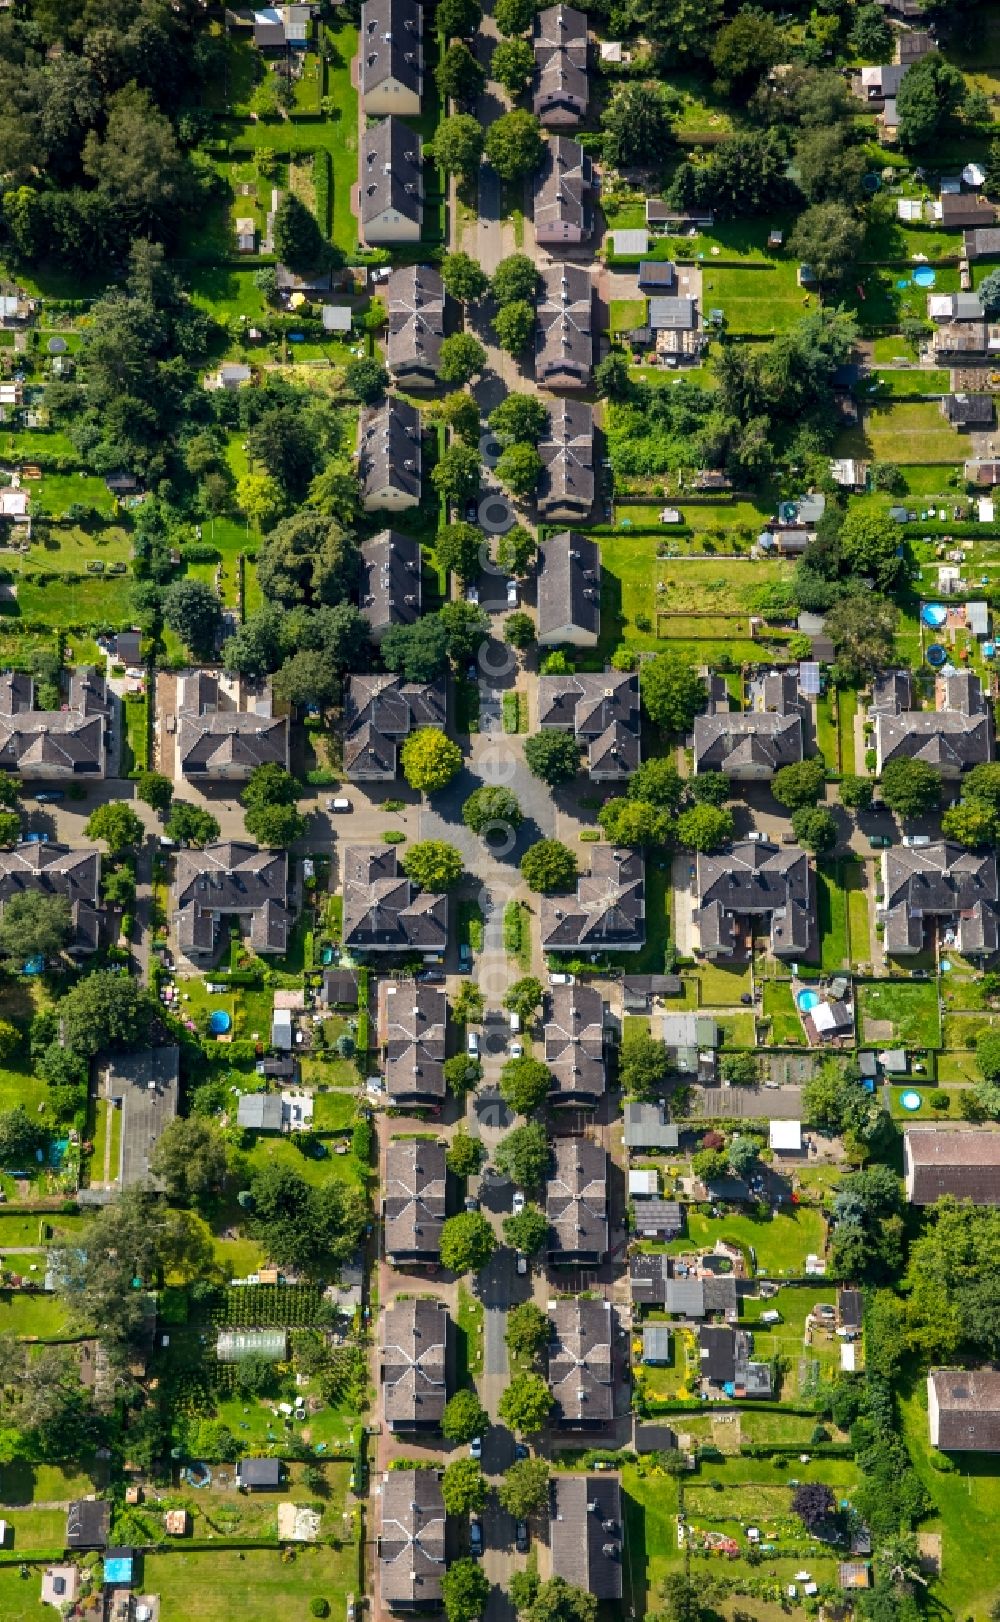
(753, 745)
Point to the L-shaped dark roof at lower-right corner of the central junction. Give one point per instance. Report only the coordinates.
(609, 911)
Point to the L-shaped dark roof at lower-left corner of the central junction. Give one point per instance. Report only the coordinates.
(383, 911)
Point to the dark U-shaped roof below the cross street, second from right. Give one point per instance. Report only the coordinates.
(753, 878)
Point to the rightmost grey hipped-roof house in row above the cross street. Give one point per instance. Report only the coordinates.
(955, 736)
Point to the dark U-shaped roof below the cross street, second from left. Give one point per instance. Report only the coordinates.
(233, 880)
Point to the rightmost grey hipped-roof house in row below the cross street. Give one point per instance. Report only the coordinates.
(944, 882)
